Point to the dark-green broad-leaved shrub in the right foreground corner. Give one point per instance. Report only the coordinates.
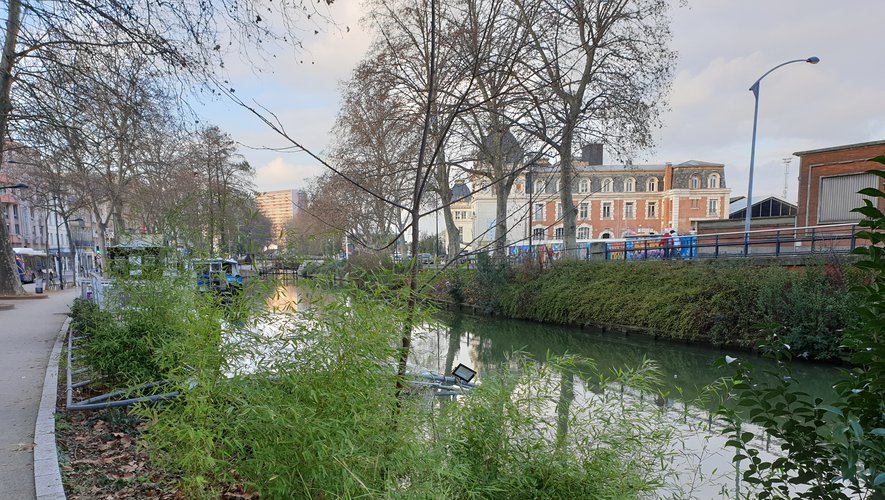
(829, 450)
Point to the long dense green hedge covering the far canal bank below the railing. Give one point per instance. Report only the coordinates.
(719, 303)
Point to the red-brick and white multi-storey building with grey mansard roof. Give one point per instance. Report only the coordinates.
(611, 201)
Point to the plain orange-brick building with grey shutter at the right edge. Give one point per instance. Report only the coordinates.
(829, 179)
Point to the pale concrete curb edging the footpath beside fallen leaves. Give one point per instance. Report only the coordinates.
(47, 475)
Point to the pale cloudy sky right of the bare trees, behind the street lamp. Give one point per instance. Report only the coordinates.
(725, 45)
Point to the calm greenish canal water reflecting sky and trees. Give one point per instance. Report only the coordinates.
(701, 462)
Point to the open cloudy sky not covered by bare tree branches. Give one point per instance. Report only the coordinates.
(723, 47)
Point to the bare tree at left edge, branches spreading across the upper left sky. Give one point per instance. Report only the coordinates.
(184, 40)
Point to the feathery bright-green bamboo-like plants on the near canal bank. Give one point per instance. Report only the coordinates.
(307, 405)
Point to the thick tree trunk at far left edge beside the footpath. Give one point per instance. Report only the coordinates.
(10, 284)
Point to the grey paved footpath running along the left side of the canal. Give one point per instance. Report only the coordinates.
(27, 335)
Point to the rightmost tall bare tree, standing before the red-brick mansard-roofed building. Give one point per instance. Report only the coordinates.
(600, 72)
